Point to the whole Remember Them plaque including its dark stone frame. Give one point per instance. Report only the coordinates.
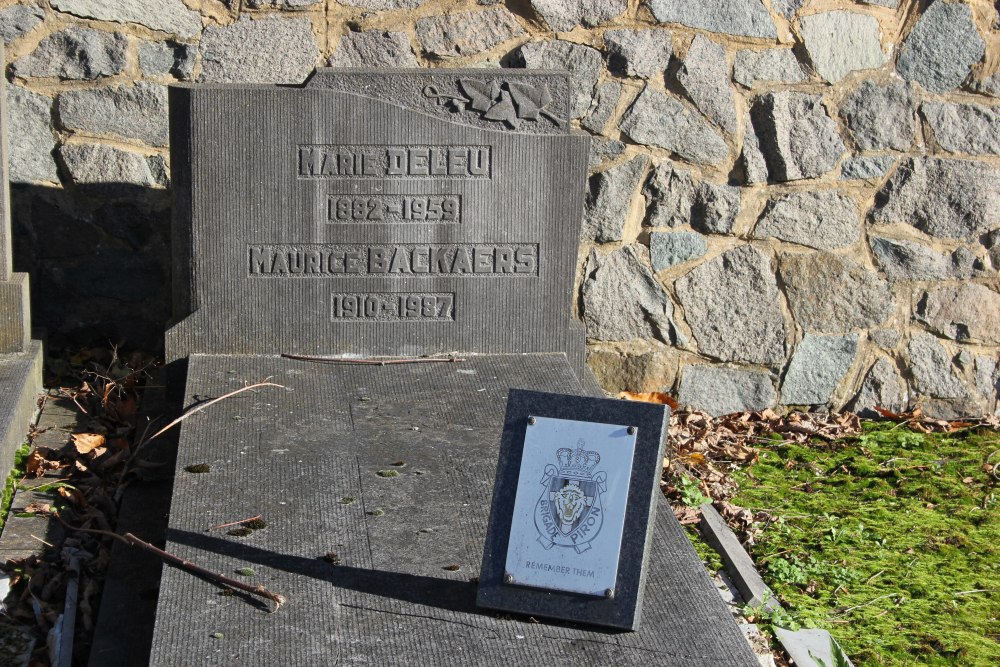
(573, 508)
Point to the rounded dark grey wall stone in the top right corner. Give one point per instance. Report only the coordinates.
(941, 48)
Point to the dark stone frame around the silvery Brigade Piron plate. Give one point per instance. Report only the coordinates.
(623, 608)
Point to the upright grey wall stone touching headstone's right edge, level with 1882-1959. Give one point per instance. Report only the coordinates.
(609, 200)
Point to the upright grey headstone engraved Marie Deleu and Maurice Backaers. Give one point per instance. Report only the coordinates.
(374, 213)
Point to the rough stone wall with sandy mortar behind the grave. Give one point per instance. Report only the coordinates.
(793, 202)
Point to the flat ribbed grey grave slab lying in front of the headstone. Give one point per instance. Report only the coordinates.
(408, 547)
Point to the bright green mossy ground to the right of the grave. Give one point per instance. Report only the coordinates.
(890, 540)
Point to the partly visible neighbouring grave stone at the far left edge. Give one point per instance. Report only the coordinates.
(20, 356)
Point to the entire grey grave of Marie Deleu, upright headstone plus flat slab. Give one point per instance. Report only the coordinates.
(402, 213)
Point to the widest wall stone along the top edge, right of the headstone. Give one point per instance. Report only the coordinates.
(743, 18)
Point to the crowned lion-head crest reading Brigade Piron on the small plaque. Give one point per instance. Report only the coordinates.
(568, 512)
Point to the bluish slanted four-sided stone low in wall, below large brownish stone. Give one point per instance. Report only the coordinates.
(817, 367)
